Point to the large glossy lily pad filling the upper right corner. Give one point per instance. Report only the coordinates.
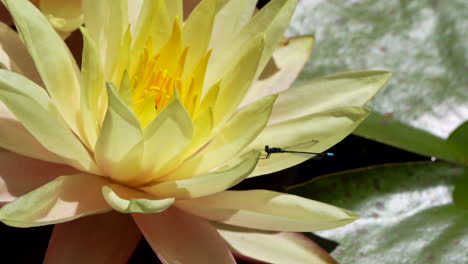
(422, 42)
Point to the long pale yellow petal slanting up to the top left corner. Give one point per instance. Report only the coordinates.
(51, 56)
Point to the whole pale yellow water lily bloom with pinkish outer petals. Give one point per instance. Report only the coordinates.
(162, 118)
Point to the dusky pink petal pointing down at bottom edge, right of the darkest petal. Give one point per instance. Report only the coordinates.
(178, 237)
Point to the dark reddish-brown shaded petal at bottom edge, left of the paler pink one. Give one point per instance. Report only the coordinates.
(101, 239)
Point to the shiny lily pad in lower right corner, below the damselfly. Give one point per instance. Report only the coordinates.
(407, 214)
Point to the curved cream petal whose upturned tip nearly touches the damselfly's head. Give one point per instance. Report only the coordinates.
(210, 183)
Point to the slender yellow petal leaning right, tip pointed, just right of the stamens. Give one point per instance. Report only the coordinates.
(238, 80)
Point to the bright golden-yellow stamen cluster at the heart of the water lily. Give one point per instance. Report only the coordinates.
(158, 76)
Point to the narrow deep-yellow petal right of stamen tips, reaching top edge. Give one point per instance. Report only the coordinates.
(202, 17)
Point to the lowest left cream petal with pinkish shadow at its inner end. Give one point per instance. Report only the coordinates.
(63, 199)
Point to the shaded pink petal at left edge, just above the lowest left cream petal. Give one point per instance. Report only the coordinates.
(20, 175)
